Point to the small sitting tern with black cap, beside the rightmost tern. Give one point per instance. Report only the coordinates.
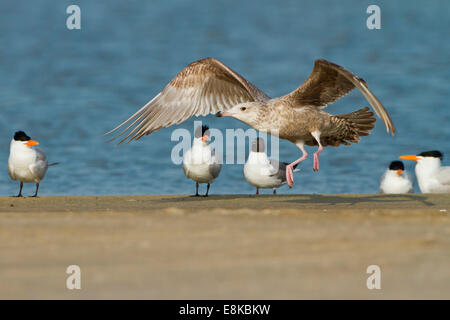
(396, 180)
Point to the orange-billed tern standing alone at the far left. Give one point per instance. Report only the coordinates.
(26, 164)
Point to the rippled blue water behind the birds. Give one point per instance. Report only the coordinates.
(66, 88)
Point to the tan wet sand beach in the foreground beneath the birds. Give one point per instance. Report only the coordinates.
(226, 247)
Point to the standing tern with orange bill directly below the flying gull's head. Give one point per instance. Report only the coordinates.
(200, 163)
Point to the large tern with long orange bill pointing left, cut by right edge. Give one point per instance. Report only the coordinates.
(431, 175)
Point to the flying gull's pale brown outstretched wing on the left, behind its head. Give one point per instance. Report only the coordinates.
(203, 87)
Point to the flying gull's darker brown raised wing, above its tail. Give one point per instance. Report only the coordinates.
(327, 83)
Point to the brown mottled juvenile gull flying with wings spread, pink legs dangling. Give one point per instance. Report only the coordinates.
(208, 86)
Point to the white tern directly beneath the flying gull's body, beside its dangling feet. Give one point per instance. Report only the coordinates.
(262, 172)
